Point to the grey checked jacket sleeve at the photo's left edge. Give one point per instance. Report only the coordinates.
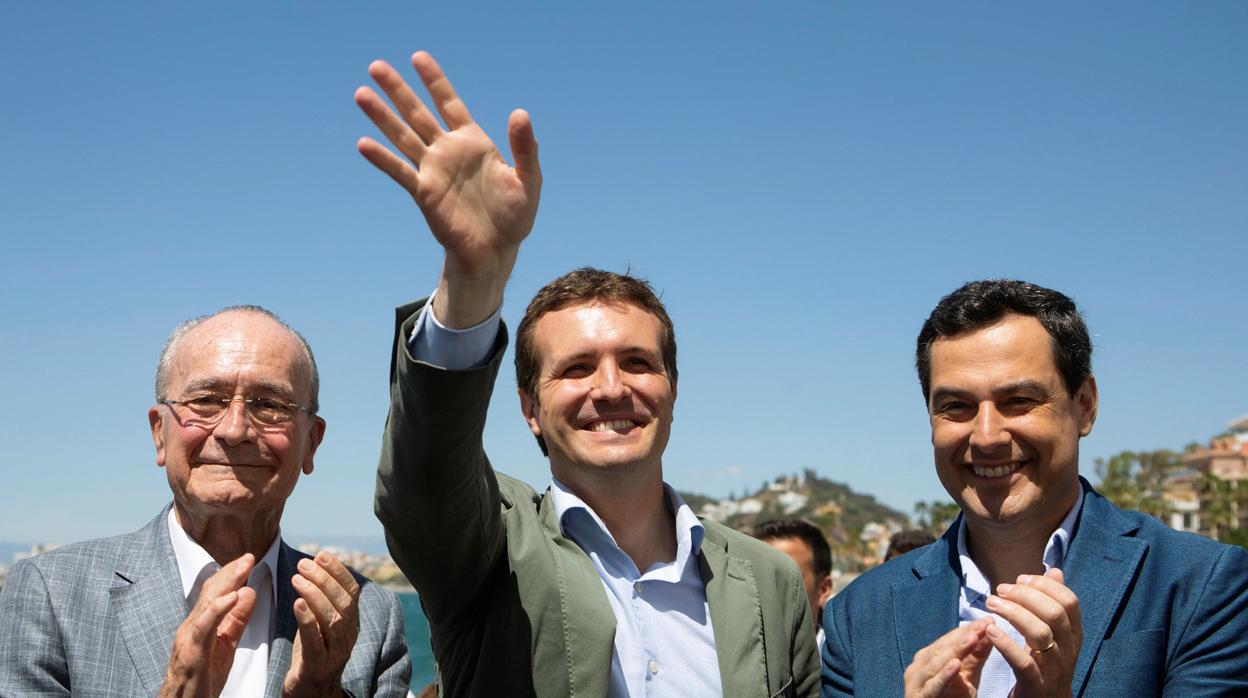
(32, 650)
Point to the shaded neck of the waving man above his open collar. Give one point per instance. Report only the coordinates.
(636, 514)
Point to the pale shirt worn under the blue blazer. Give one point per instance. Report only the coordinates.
(998, 679)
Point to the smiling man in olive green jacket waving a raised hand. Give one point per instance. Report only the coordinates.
(606, 584)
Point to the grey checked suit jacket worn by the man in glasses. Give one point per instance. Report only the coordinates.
(98, 619)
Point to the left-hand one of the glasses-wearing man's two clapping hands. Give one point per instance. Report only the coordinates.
(205, 644)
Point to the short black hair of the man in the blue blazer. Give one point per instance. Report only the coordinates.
(980, 304)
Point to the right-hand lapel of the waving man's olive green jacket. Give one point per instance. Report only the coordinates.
(736, 616)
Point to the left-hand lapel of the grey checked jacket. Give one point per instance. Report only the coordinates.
(147, 601)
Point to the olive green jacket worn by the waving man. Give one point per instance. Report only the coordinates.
(515, 607)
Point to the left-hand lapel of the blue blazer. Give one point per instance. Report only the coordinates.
(918, 621)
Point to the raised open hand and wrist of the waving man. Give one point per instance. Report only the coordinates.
(479, 208)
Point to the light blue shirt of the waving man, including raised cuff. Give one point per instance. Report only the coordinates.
(665, 641)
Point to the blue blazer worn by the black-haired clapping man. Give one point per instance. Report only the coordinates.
(1165, 612)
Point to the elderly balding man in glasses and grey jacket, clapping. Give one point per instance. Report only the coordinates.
(208, 600)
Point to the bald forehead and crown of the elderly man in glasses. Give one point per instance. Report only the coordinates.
(240, 350)
